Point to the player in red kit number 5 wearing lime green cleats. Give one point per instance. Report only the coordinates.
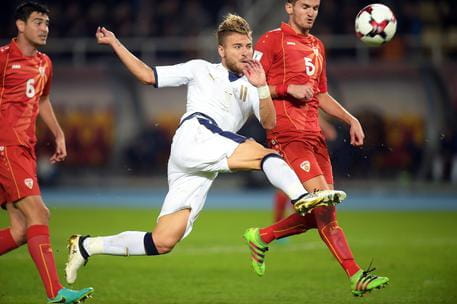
(295, 65)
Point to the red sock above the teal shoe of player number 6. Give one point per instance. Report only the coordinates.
(40, 250)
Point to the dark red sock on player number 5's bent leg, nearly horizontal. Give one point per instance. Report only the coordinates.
(294, 224)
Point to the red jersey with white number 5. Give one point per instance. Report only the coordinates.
(291, 58)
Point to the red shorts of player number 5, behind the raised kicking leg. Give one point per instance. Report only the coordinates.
(307, 155)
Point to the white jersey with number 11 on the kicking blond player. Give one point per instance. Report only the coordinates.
(229, 102)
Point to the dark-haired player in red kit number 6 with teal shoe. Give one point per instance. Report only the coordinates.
(25, 81)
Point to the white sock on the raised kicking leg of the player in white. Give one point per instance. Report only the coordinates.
(282, 176)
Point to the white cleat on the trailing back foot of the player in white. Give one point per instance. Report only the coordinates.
(77, 257)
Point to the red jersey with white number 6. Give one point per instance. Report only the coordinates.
(23, 80)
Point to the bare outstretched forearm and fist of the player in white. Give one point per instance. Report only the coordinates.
(137, 67)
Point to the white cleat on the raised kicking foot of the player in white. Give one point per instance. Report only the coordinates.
(306, 203)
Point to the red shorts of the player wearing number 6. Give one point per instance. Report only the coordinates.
(18, 178)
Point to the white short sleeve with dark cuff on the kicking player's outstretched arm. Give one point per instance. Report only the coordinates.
(178, 74)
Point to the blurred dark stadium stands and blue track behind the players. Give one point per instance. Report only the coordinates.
(119, 132)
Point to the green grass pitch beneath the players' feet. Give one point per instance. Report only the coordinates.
(417, 250)
